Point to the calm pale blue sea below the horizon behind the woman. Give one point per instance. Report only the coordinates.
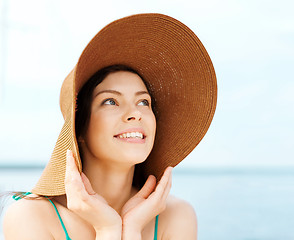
(230, 203)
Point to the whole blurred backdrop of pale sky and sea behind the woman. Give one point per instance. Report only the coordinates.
(240, 178)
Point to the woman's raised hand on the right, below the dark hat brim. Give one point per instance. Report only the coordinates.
(146, 204)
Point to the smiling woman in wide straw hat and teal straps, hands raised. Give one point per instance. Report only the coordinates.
(139, 100)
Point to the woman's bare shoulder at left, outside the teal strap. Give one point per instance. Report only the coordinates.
(26, 219)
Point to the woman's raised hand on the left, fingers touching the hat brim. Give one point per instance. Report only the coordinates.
(85, 202)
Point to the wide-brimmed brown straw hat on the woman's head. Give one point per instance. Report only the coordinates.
(181, 78)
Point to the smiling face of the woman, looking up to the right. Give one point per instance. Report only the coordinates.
(122, 124)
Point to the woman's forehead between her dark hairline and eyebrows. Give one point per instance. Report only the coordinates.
(122, 81)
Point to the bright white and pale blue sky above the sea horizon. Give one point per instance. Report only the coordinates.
(251, 44)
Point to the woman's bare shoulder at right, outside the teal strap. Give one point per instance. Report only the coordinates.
(178, 220)
